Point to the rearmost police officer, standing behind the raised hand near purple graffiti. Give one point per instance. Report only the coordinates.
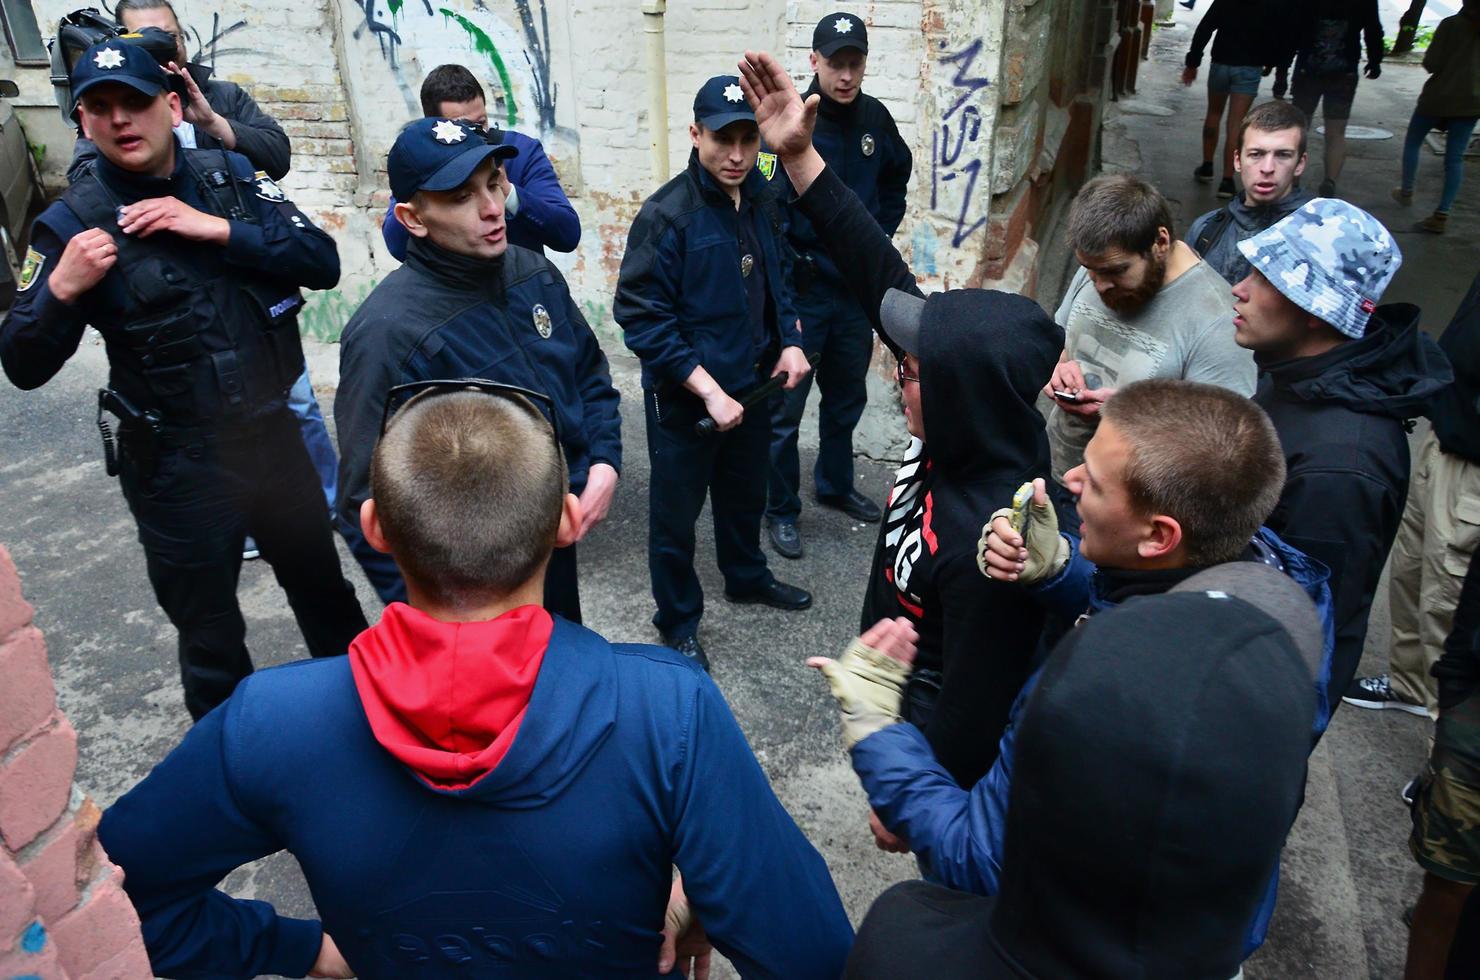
(858, 138)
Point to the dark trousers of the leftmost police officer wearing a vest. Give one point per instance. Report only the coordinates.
(195, 509)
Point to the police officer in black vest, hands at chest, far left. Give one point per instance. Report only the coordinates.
(190, 269)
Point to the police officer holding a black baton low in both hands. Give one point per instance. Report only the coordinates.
(704, 300)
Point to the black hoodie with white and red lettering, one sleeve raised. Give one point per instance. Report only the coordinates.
(985, 358)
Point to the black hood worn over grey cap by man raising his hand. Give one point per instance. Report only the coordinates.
(985, 356)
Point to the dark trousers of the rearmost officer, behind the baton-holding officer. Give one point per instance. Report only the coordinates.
(835, 328)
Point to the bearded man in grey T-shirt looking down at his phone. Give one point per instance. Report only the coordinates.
(1143, 306)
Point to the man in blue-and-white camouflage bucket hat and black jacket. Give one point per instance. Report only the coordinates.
(1339, 377)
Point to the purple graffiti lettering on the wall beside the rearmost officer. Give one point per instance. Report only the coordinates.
(955, 159)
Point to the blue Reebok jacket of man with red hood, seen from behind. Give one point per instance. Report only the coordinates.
(556, 864)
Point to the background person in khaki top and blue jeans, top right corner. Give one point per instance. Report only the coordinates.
(1450, 101)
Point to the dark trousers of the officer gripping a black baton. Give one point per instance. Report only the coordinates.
(686, 467)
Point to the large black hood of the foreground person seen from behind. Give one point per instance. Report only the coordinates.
(1160, 768)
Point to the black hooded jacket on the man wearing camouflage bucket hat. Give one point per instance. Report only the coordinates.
(1342, 423)
